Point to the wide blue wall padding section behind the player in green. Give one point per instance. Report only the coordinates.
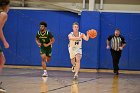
(24, 26)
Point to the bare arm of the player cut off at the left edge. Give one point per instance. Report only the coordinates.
(3, 19)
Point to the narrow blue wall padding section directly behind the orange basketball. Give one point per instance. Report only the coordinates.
(90, 20)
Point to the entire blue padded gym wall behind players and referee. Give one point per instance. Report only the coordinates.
(22, 26)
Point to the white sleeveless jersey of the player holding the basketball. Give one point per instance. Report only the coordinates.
(76, 43)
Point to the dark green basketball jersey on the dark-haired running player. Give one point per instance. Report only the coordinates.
(44, 37)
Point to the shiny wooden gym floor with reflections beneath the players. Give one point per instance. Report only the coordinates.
(30, 81)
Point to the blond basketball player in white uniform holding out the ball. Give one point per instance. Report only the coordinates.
(75, 47)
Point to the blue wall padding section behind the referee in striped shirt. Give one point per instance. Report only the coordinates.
(129, 25)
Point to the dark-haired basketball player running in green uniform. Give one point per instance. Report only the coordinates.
(44, 40)
